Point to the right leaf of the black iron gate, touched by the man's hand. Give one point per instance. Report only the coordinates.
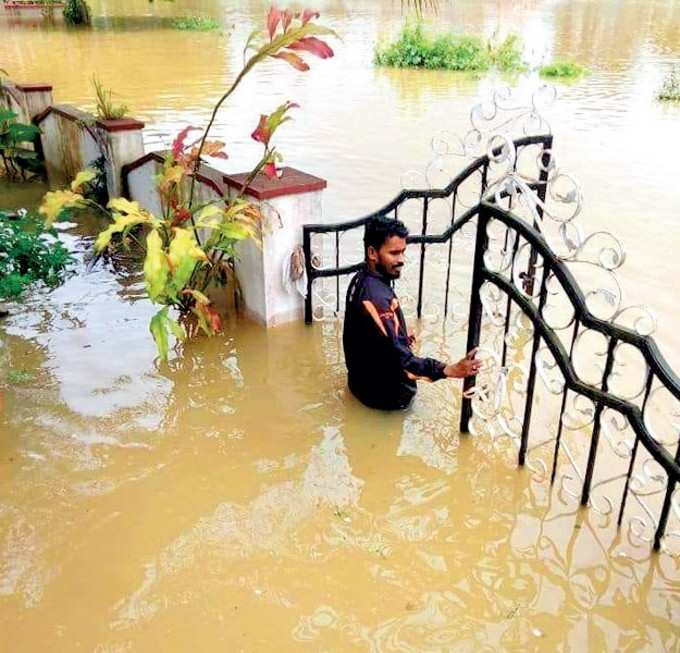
(551, 270)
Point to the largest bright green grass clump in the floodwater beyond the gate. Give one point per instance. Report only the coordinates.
(414, 48)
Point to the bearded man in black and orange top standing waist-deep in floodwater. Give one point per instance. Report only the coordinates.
(382, 370)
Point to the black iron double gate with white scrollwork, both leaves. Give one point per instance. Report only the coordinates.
(530, 275)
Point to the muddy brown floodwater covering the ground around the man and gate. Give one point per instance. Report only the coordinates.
(238, 499)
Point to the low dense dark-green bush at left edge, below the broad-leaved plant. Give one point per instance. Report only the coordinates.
(30, 252)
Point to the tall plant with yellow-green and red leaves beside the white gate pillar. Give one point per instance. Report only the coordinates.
(190, 246)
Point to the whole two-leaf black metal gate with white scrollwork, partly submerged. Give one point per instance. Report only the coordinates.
(616, 435)
